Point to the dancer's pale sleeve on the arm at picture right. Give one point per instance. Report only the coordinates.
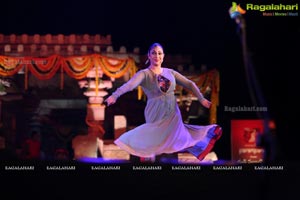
(188, 84)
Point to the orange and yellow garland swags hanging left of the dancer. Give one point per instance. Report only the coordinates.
(76, 67)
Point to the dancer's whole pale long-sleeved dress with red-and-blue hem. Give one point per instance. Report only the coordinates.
(164, 130)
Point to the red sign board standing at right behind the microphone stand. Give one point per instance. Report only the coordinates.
(244, 135)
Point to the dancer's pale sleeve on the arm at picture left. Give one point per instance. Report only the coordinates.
(130, 85)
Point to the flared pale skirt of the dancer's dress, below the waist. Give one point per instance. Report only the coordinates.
(169, 135)
